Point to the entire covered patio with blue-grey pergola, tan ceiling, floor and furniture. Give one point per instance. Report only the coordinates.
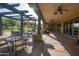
(50, 36)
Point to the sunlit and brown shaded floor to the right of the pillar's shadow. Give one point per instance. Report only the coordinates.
(62, 46)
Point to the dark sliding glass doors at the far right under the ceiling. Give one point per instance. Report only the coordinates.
(71, 27)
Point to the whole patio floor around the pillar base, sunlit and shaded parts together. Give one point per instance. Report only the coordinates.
(53, 44)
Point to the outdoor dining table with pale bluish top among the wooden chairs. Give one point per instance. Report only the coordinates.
(11, 43)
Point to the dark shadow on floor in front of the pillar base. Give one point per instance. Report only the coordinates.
(40, 48)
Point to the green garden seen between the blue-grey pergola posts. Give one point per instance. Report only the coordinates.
(10, 25)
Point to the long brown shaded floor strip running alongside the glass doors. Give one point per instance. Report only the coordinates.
(68, 44)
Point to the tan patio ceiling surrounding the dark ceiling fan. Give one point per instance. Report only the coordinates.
(48, 10)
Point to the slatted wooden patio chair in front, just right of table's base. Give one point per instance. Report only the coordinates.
(20, 46)
